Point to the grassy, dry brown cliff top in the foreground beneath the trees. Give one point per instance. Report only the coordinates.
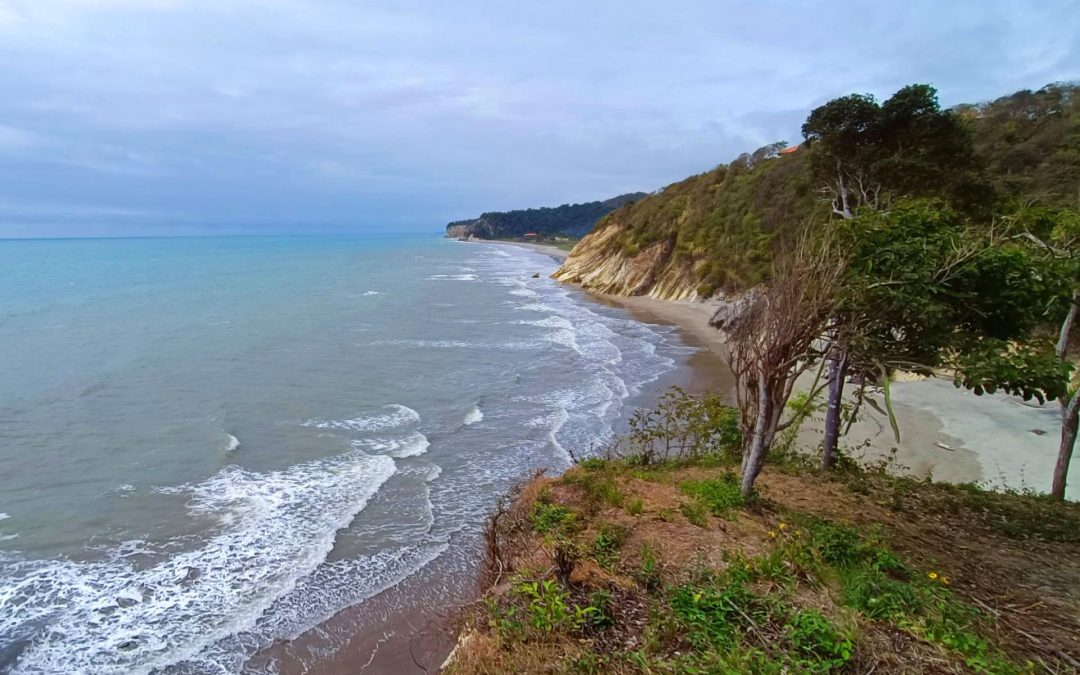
(657, 564)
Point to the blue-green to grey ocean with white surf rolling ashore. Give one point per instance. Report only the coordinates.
(213, 445)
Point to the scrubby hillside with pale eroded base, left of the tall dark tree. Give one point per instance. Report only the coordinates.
(718, 232)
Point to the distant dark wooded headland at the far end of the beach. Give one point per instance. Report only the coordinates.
(566, 221)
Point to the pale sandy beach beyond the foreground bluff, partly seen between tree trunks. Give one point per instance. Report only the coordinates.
(948, 435)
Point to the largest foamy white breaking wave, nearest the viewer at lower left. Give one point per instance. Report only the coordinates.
(119, 616)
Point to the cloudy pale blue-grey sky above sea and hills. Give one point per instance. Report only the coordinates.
(202, 117)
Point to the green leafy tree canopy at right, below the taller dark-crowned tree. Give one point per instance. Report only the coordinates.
(926, 291)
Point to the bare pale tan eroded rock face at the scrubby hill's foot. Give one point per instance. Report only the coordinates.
(600, 264)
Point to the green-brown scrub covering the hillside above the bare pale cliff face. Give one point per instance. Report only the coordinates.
(725, 227)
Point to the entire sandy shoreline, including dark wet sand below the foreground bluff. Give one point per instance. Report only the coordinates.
(412, 640)
